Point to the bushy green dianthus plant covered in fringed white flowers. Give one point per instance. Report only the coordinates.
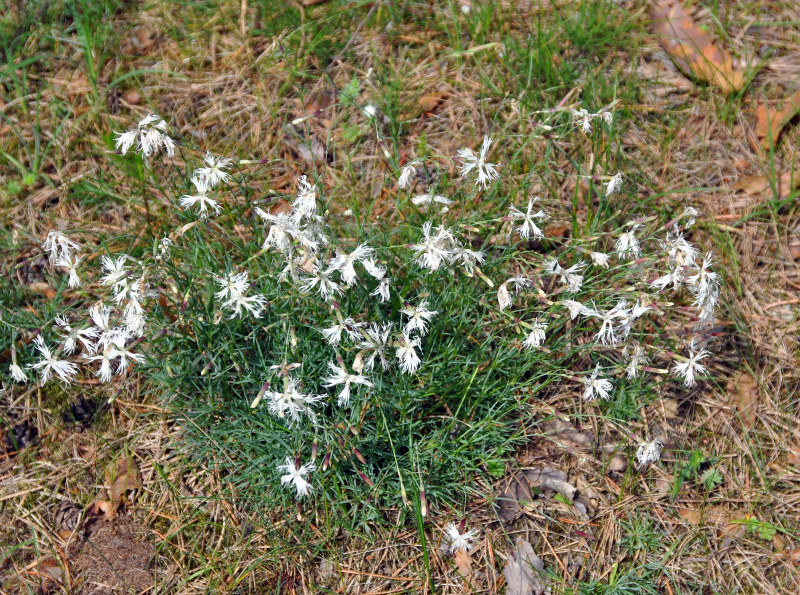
(315, 353)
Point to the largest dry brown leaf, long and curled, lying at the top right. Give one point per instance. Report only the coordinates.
(691, 48)
